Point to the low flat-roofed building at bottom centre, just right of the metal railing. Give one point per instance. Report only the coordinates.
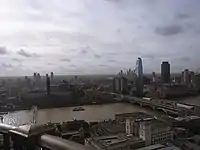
(115, 142)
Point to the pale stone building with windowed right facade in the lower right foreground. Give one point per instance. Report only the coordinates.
(154, 132)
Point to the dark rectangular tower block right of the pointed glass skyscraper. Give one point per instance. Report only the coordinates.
(165, 72)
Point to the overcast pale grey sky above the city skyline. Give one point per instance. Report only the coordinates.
(97, 36)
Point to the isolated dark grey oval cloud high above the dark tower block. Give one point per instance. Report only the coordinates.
(169, 30)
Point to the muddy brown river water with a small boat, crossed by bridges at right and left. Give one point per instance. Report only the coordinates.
(91, 113)
